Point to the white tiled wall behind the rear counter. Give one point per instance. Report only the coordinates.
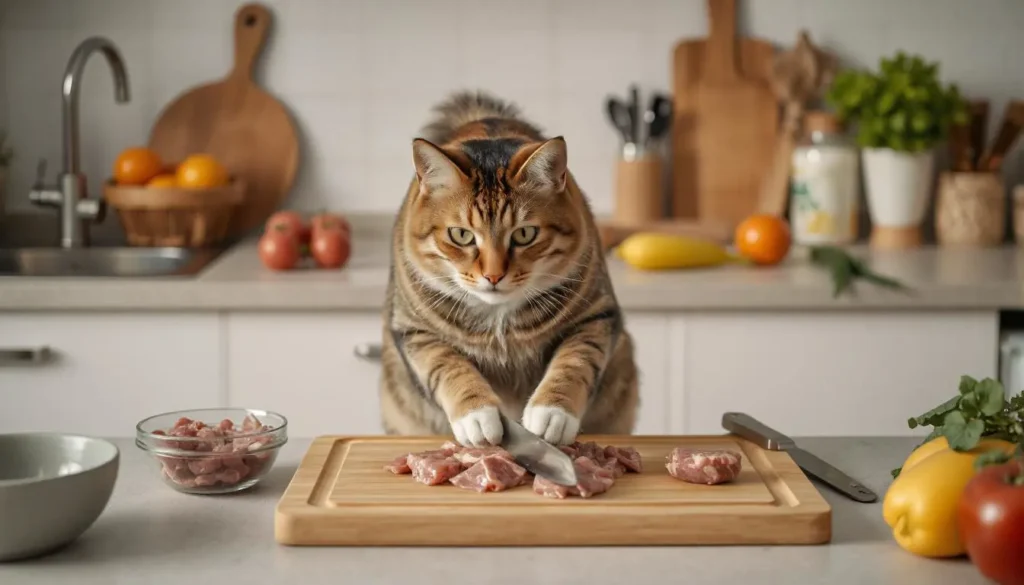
(361, 76)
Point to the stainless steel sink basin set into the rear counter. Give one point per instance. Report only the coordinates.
(99, 262)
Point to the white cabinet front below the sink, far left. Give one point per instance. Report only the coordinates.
(107, 371)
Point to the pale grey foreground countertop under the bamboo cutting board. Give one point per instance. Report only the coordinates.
(152, 535)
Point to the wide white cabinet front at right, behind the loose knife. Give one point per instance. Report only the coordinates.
(848, 373)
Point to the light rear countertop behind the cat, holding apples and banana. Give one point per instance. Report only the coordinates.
(944, 279)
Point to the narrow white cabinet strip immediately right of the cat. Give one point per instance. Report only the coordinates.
(651, 339)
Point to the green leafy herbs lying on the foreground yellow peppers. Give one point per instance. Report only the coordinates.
(980, 410)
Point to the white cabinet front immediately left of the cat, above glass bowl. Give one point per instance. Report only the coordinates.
(303, 365)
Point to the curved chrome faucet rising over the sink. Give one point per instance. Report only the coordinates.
(70, 196)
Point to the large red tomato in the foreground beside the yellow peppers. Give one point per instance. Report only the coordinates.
(991, 520)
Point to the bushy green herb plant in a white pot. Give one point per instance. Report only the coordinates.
(903, 113)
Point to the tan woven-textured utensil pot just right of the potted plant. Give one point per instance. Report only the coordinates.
(970, 210)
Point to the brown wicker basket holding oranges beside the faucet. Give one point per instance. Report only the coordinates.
(176, 217)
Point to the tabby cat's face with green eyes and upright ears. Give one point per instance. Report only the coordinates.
(497, 236)
